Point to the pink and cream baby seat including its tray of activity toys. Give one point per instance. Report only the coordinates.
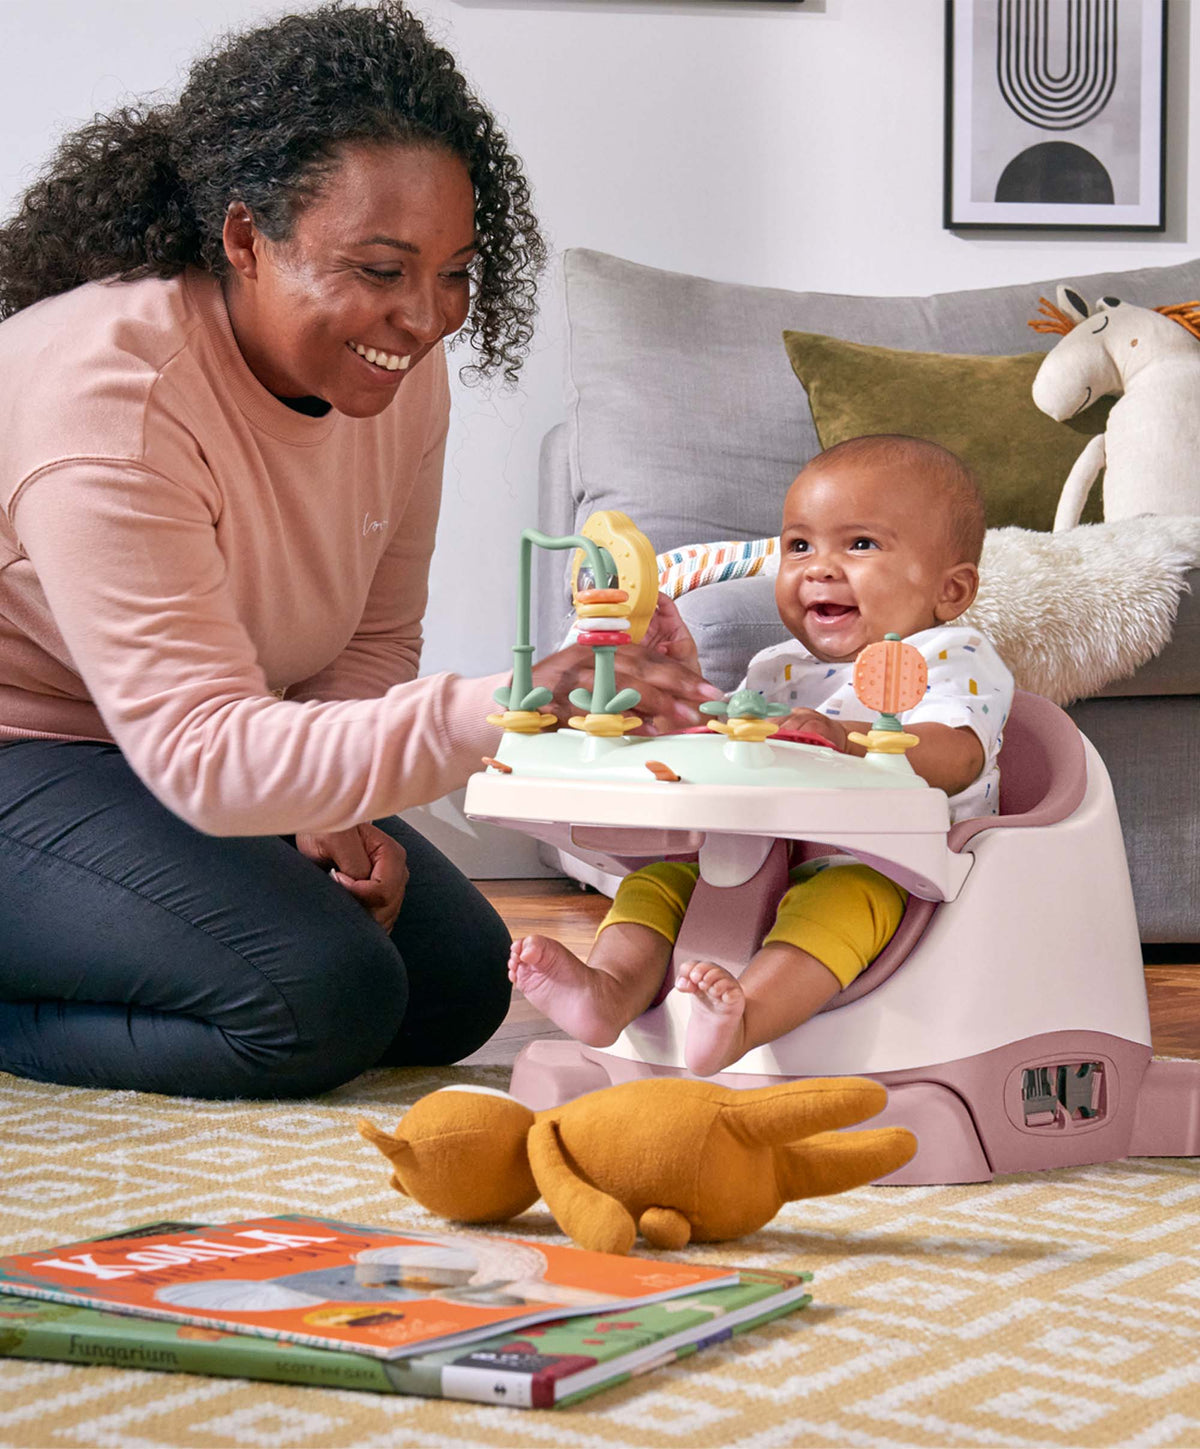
(1008, 1016)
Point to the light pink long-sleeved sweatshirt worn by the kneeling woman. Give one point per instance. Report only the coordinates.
(178, 546)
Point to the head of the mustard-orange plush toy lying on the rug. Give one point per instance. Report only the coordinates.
(462, 1154)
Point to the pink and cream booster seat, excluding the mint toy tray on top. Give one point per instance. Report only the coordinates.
(1008, 1016)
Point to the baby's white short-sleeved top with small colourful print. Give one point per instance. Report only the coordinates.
(969, 685)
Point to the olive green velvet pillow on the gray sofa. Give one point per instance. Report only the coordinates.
(978, 406)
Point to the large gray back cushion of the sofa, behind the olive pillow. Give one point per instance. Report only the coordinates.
(683, 409)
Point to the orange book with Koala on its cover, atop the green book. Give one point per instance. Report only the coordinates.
(338, 1286)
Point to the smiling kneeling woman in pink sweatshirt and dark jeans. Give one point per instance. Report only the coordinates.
(225, 409)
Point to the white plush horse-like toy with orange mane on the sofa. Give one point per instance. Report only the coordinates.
(1150, 359)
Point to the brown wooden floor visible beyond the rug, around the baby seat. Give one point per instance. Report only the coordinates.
(562, 909)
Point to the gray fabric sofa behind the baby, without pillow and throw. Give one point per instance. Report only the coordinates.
(683, 412)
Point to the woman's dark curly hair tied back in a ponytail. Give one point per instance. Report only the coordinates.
(144, 192)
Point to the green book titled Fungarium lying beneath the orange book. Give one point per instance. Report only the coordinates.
(543, 1366)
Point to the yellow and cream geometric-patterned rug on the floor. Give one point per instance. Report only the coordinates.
(1057, 1309)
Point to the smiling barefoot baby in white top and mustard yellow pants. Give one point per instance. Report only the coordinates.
(879, 535)
